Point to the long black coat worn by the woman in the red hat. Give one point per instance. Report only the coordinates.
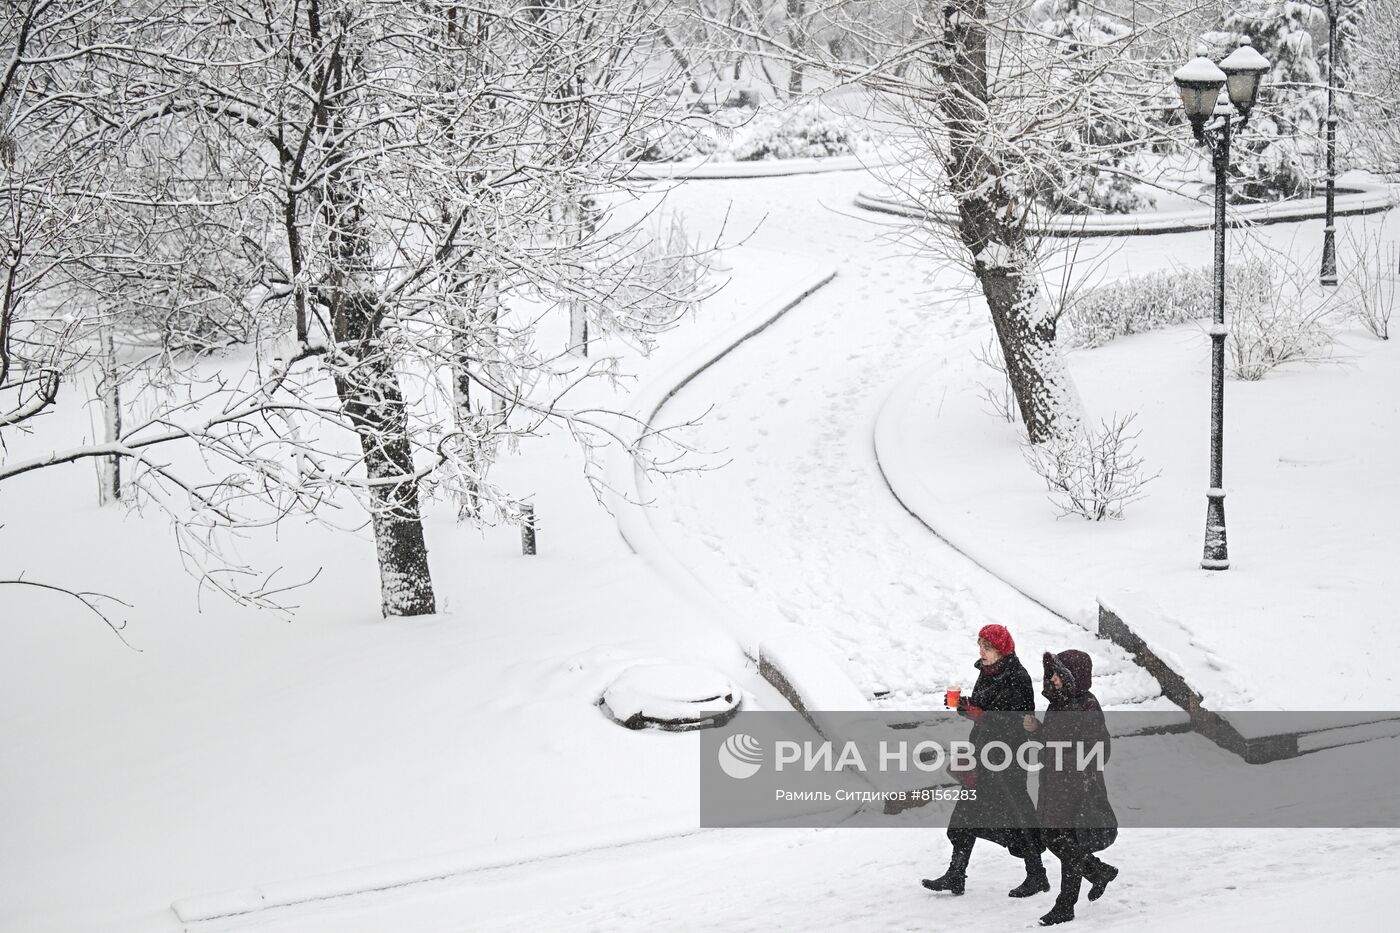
(1002, 812)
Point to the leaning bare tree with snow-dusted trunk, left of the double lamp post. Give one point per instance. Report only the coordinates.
(1017, 113)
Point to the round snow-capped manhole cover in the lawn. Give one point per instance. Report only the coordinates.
(673, 697)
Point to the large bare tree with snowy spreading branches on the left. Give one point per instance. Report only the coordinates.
(383, 201)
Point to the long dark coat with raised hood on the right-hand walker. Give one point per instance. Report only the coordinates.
(1074, 802)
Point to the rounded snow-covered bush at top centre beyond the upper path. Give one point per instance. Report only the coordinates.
(747, 135)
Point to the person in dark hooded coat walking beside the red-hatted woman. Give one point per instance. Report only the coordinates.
(1076, 816)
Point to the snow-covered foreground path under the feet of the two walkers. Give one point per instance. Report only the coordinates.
(869, 880)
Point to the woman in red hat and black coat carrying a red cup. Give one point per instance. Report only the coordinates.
(1002, 810)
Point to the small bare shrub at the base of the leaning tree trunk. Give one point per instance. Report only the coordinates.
(1094, 473)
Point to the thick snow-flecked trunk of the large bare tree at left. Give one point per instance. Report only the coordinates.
(373, 401)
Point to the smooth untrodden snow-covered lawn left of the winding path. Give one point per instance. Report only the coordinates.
(233, 752)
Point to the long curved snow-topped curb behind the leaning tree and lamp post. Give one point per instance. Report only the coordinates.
(1359, 198)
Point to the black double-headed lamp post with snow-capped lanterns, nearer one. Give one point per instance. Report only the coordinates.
(1200, 82)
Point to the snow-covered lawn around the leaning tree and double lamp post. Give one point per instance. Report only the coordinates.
(1310, 456)
